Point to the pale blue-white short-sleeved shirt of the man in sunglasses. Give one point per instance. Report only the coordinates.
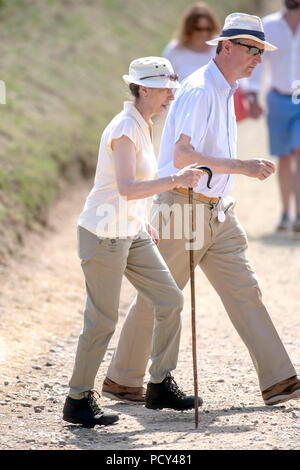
(203, 110)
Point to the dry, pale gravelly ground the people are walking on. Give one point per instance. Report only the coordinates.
(41, 304)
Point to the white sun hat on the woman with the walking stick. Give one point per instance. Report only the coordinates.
(152, 72)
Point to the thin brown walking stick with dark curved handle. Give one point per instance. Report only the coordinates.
(193, 301)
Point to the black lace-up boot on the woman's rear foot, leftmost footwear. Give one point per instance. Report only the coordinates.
(86, 412)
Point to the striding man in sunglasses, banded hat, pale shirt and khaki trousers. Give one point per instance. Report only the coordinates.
(201, 129)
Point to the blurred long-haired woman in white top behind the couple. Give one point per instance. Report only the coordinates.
(189, 51)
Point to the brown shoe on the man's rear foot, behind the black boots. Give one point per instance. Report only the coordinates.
(119, 392)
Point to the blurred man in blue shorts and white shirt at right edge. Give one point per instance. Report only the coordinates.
(283, 29)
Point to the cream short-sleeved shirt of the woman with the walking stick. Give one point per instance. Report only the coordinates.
(106, 213)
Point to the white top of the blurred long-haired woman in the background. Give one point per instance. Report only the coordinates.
(184, 60)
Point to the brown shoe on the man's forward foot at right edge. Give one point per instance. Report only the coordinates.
(282, 391)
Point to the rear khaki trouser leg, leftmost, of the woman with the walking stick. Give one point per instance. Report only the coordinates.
(103, 262)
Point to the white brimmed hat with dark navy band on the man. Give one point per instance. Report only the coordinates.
(241, 25)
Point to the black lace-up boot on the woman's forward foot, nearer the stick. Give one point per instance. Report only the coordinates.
(167, 394)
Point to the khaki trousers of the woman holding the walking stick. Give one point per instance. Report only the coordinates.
(104, 262)
